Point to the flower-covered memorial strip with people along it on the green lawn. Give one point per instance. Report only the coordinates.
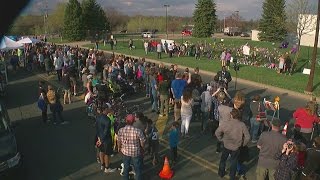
(273, 58)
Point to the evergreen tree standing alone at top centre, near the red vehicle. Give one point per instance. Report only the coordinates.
(204, 18)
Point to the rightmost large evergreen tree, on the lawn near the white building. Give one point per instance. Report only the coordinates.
(273, 22)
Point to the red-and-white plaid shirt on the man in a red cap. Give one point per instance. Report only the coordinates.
(130, 139)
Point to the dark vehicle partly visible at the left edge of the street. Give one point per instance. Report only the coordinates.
(9, 154)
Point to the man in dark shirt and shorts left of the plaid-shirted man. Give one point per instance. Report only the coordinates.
(104, 142)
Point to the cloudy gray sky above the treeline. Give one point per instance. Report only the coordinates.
(248, 9)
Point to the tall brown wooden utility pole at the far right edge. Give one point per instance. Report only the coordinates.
(309, 88)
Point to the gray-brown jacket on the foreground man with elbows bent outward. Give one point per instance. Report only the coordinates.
(233, 134)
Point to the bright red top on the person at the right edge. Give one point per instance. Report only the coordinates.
(303, 119)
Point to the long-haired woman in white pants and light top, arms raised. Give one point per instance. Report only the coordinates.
(186, 111)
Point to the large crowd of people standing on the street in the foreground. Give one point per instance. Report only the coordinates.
(182, 96)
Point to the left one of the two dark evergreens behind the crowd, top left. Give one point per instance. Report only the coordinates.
(73, 23)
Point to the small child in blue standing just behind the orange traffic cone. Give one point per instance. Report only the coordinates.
(173, 141)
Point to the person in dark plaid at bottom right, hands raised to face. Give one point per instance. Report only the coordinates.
(288, 161)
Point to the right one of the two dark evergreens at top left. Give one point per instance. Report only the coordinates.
(95, 21)
